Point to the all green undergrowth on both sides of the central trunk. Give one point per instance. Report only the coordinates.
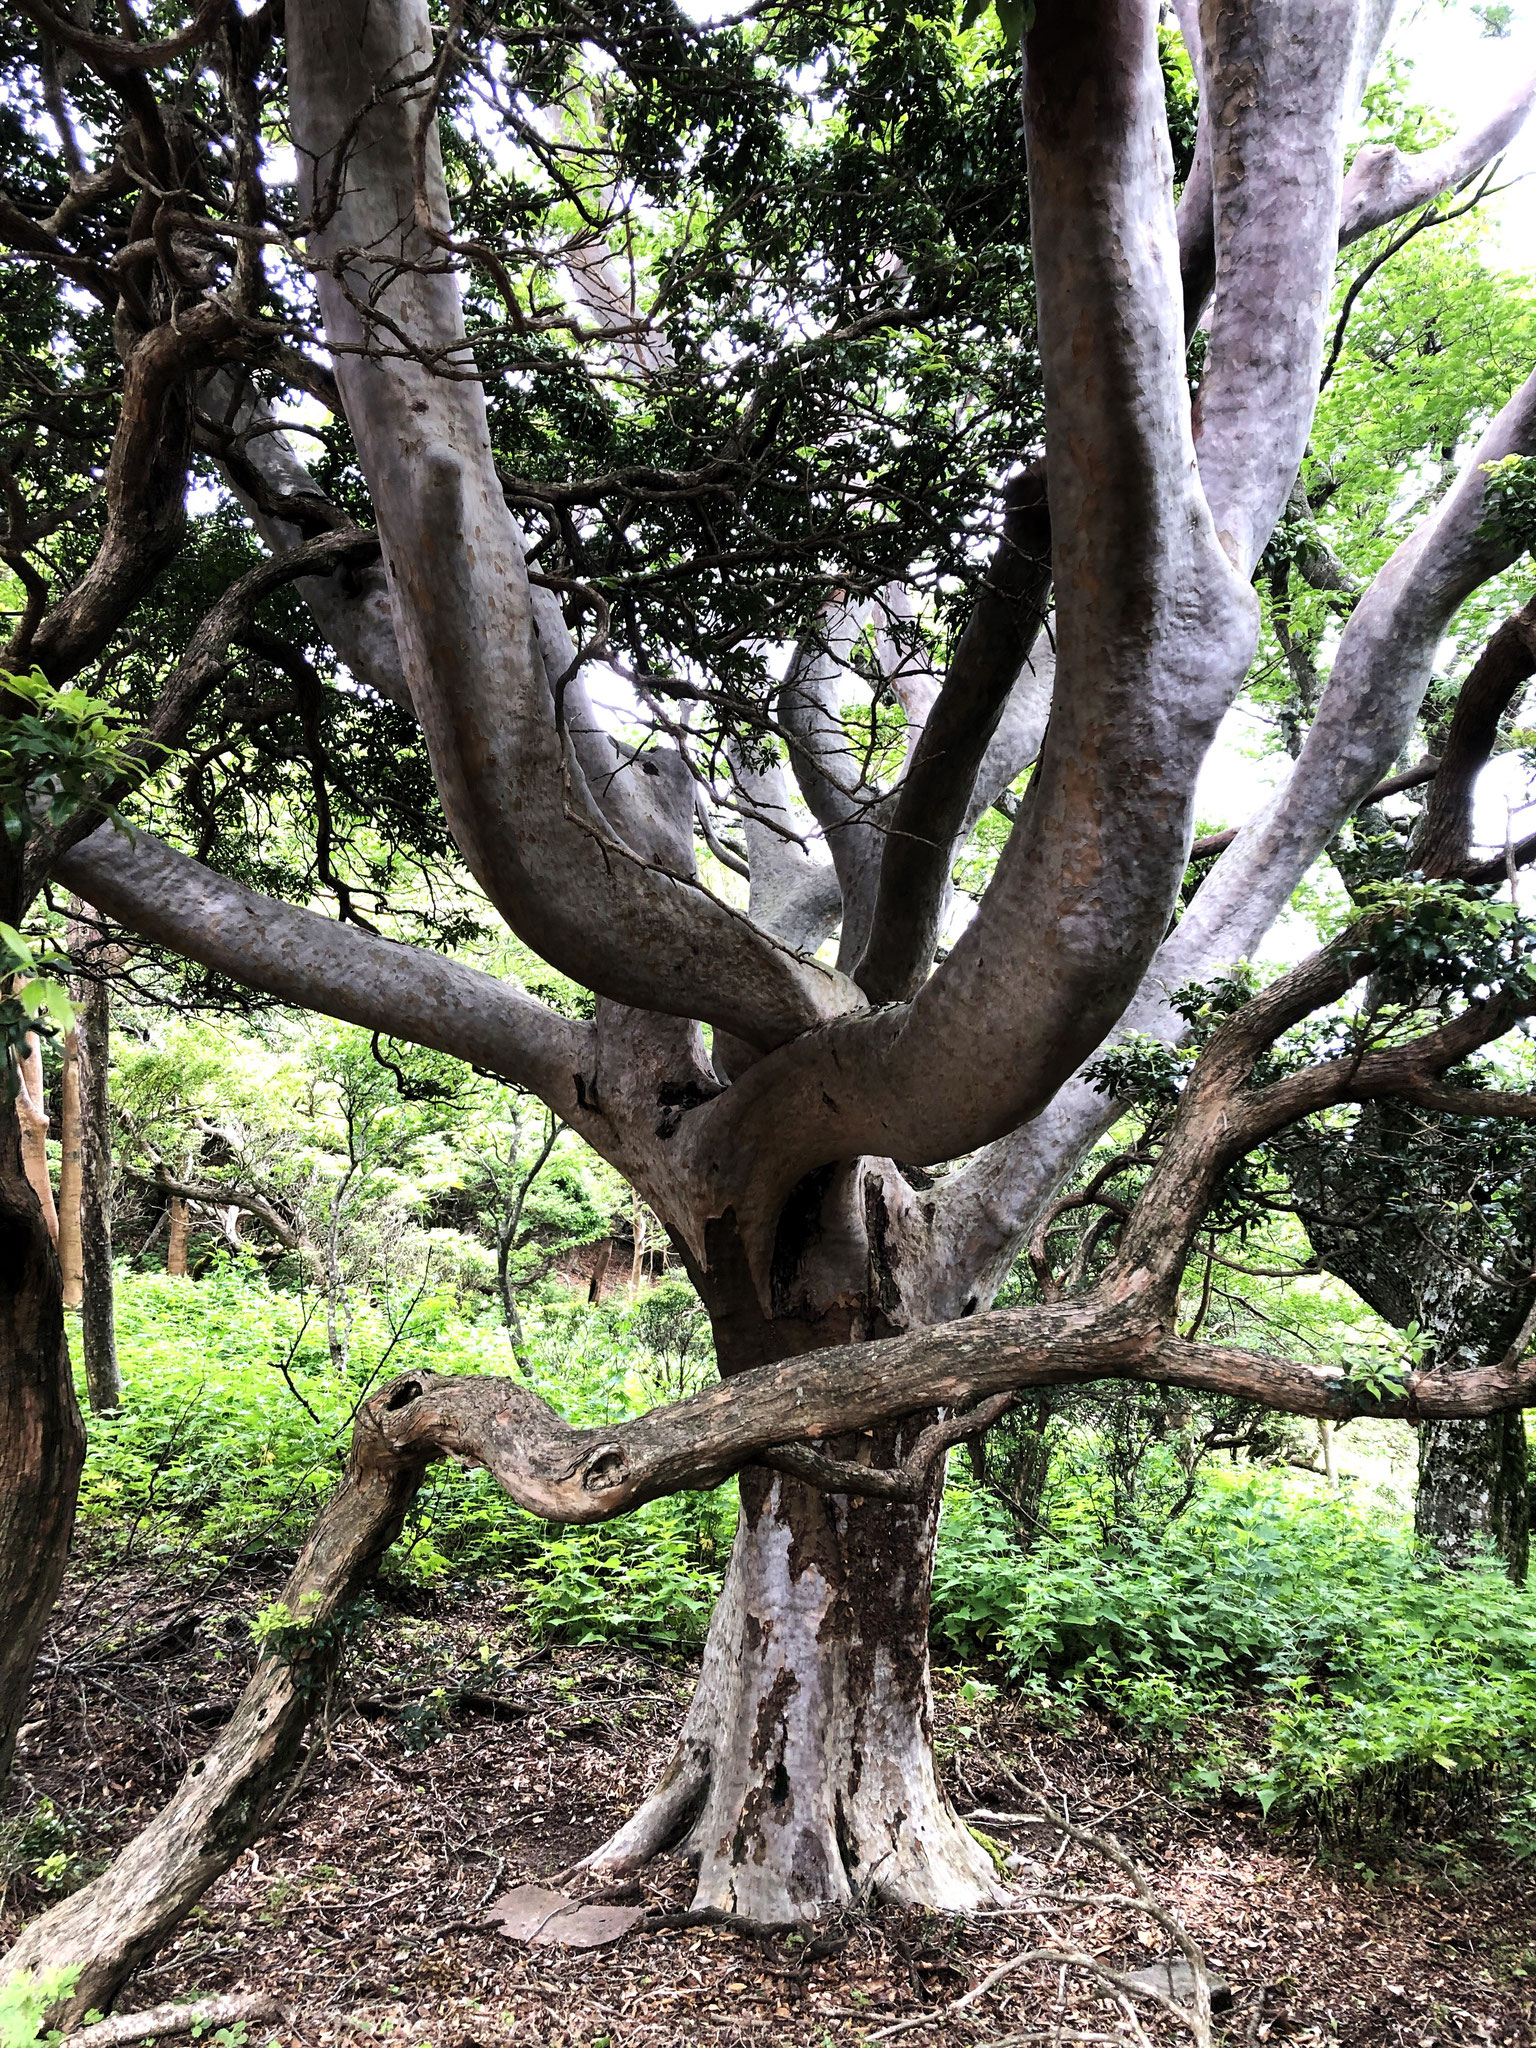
(1275, 1644)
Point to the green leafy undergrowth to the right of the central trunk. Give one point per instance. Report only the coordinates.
(1394, 1691)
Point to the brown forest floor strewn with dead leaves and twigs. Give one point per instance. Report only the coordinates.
(364, 1910)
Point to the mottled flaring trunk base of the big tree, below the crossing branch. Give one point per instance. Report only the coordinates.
(804, 1777)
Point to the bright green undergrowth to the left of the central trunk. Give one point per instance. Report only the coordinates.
(237, 1431)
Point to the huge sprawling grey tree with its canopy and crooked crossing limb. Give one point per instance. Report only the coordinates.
(839, 392)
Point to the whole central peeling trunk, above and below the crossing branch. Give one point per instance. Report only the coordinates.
(806, 1768)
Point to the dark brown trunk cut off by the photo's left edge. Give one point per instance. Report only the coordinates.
(42, 1435)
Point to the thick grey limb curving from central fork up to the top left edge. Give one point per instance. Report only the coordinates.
(466, 620)
